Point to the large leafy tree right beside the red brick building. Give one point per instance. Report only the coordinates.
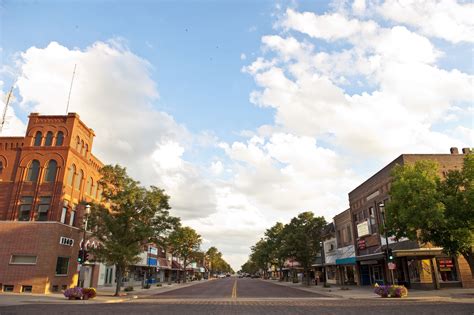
(129, 217)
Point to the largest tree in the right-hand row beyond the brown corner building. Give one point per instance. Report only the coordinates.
(303, 237)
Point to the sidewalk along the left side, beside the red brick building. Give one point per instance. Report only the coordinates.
(104, 295)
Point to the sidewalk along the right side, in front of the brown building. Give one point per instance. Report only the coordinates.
(367, 292)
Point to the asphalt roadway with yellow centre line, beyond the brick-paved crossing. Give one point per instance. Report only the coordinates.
(235, 288)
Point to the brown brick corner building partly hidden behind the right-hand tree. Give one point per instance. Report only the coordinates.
(415, 266)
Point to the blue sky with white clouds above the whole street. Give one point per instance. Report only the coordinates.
(246, 112)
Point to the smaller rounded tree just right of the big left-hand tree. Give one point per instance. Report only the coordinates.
(184, 242)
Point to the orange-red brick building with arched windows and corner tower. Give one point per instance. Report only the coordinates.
(46, 178)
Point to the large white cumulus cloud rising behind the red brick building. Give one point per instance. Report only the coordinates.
(114, 94)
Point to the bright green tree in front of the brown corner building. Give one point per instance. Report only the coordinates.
(427, 209)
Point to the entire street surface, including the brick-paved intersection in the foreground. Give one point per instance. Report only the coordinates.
(244, 296)
